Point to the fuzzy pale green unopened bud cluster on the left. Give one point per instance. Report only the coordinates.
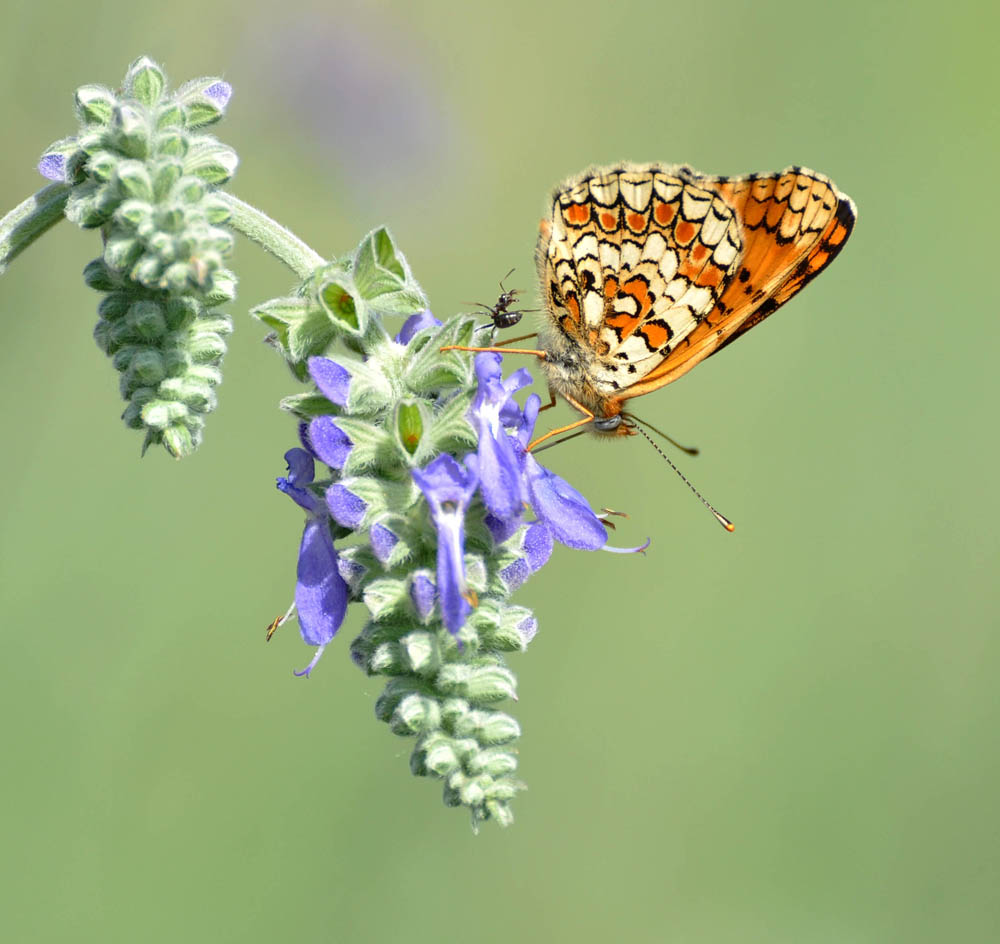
(143, 172)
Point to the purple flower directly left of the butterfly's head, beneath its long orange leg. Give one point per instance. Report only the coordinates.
(492, 410)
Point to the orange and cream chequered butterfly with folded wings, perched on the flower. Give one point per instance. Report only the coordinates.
(647, 269)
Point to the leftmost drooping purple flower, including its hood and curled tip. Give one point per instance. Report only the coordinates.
(320, 591)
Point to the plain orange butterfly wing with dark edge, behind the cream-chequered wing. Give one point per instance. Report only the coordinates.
(794, 224)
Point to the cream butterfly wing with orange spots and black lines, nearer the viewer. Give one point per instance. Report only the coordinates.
(632, 261)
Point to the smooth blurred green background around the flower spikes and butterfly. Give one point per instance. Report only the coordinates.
(787, 734)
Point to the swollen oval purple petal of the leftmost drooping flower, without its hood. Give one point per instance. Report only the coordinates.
(320, 591)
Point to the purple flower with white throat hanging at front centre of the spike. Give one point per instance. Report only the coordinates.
(448, 488)
